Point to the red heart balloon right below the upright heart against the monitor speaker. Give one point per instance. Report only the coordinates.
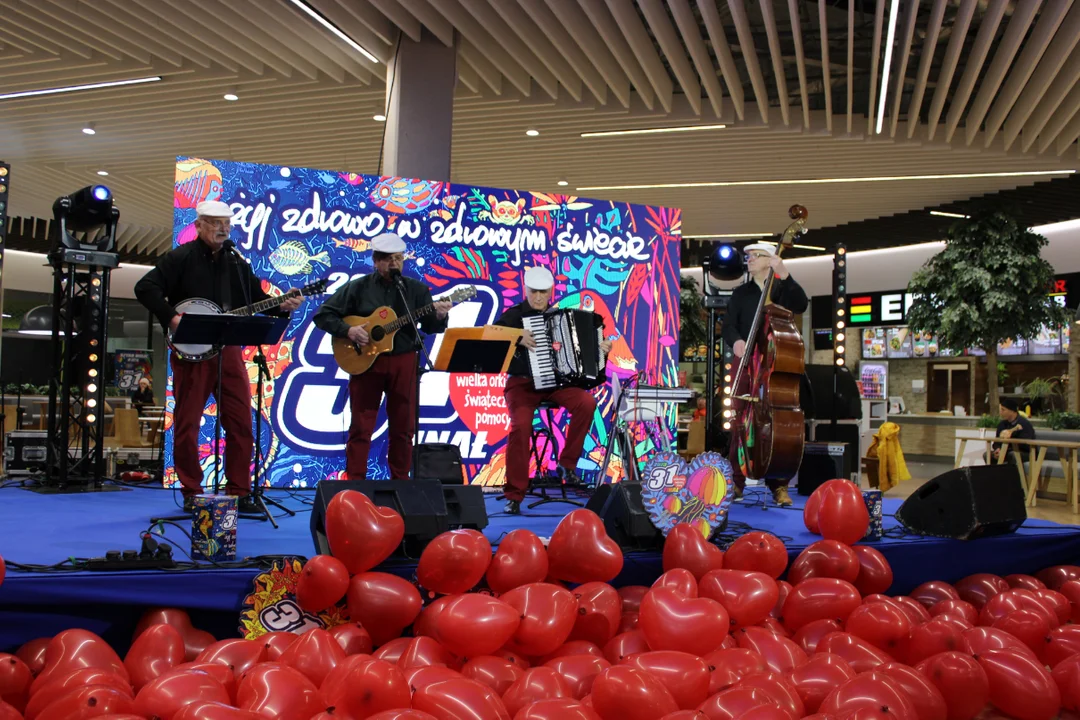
(384, 604)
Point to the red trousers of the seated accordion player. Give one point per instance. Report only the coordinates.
(522, 402)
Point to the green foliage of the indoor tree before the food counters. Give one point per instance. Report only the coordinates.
(989, 286)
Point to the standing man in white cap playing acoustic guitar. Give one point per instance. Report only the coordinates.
(356, 317)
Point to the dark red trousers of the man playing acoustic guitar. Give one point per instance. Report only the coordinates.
(396, 376)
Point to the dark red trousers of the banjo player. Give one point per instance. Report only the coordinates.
(193, 385)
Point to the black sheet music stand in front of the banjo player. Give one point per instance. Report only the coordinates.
(222, 332)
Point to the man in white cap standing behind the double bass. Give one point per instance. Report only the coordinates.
(742, 308)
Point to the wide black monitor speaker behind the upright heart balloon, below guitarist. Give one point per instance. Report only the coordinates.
(422, 505)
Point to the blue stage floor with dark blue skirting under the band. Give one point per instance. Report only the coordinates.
(45, 531)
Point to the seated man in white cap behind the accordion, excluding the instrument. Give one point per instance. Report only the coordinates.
(523, 398)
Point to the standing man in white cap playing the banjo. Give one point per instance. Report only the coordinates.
(208, 276)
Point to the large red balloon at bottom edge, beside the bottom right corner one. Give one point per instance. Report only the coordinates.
(1020, 686)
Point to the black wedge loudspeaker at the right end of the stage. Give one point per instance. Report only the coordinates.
(967, 504)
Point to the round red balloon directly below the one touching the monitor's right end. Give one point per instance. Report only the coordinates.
(474, 624)
